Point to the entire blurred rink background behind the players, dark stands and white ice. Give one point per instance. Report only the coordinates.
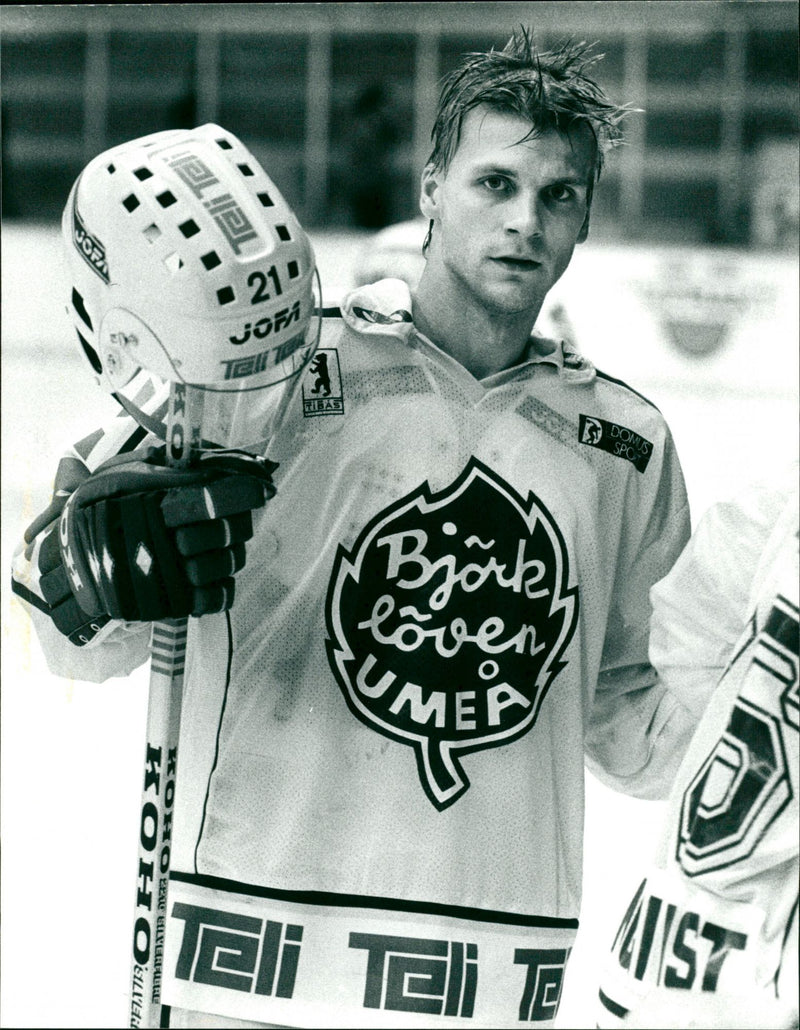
(687, 290)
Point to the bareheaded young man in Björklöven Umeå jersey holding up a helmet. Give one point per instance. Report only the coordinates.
(444, 612)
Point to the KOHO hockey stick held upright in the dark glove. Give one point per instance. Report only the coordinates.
(164, 710)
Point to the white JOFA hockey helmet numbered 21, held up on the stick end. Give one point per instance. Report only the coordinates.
(186, 261)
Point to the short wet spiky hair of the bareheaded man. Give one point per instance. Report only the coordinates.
(551, 90)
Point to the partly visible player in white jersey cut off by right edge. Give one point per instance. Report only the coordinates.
(710, 939)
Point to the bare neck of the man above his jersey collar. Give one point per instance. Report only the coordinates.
(483, 341)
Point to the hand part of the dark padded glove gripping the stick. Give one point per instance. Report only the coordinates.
(143, 541)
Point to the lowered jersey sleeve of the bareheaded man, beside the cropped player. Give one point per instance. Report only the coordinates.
(639, 729)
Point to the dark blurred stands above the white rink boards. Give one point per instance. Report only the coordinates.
(338, 99)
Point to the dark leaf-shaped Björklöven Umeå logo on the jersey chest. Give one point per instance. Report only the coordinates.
(448, 622)
